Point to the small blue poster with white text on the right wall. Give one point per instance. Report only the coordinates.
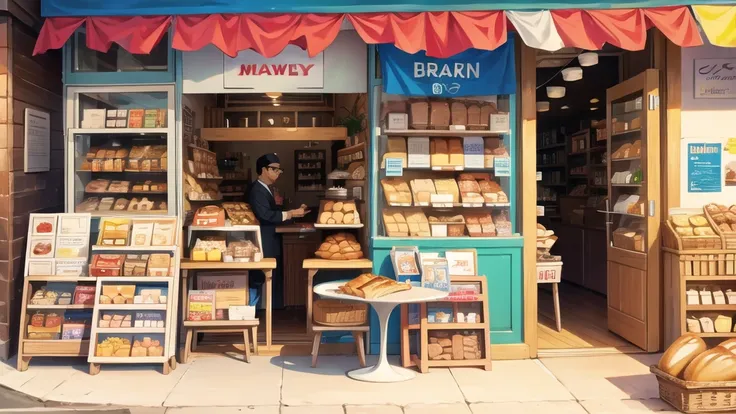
(704, 168)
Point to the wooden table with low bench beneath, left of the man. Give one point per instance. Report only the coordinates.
(266, 265)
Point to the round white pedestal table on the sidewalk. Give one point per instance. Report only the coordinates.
(382, 371)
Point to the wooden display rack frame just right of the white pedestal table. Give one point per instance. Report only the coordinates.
(422, 361)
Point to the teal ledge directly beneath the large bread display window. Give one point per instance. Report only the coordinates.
(450, 242)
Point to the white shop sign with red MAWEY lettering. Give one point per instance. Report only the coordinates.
(291, 69)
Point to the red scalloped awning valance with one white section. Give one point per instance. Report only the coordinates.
(440, 34)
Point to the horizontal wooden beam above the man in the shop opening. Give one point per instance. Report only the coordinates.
(274, 134)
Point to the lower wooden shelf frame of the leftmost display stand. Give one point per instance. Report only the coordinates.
(29, 348)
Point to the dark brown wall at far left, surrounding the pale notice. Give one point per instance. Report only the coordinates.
(25, 82)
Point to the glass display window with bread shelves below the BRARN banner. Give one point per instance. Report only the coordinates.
(445, 167)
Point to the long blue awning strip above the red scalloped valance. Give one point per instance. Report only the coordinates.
(68, 8)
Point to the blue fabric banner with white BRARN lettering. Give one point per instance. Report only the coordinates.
(470, 73)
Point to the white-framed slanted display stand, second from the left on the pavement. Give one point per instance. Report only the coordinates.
(167, 360)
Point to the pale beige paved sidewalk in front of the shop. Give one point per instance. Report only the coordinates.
(288, 385)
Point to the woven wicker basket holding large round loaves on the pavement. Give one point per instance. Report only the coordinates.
(696, 397)
